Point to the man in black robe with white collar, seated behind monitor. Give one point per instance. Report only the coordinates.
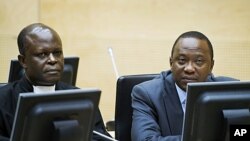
(41, 56)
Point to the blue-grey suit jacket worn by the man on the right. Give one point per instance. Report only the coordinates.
(157, 111)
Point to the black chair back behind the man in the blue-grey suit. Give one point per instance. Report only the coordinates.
(123, 109)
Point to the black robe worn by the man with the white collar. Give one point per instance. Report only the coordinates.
(8, 101)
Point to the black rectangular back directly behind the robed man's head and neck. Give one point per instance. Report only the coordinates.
(69, 73)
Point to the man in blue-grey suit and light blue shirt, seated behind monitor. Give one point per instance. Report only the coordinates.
(159, 104)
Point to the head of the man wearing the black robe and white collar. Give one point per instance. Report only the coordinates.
(41, 54)
